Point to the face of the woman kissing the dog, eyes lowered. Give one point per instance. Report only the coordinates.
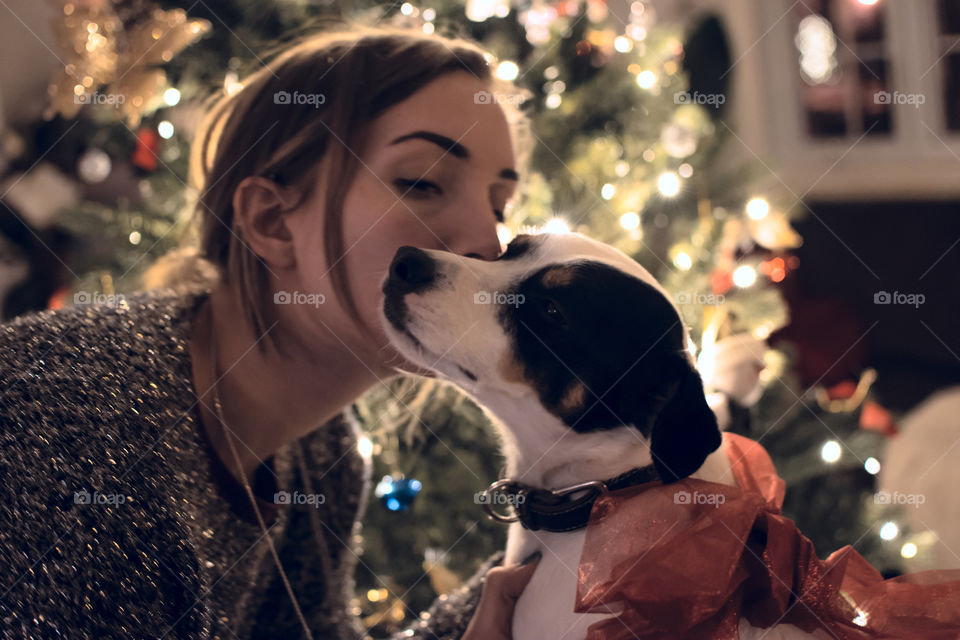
(436, 172)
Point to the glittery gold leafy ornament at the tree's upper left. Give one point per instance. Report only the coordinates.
(111, 65)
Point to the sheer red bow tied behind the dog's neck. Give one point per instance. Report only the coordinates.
(686, 561)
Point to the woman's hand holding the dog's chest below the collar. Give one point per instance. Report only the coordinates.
(493, 618)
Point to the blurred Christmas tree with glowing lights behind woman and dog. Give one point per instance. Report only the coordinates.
(628, 148)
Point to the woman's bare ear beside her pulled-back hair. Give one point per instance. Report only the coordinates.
(260, 205)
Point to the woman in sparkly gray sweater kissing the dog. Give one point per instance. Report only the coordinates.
(147, 444)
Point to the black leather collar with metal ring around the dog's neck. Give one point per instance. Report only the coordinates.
(554, 509)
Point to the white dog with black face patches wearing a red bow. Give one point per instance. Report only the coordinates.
(582, 359)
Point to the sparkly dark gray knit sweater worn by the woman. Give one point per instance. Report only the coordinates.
(118, 521)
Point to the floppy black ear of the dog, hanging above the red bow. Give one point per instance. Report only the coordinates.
(684, 430)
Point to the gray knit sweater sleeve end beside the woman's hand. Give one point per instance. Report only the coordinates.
(448, 617)
